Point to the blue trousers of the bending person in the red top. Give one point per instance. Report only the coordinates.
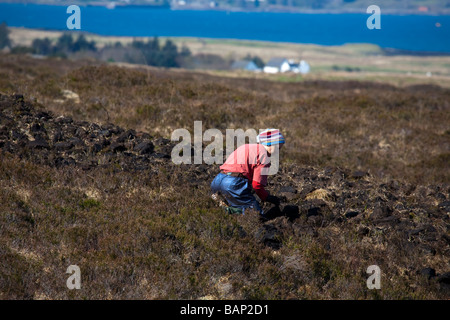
(236, 190)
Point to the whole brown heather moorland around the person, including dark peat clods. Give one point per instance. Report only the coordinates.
(365, 172)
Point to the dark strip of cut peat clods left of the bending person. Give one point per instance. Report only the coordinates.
(59, 141)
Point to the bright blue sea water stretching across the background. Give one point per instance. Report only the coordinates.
(408, 32)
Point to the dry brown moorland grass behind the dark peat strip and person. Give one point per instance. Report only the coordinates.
(390, 131)
